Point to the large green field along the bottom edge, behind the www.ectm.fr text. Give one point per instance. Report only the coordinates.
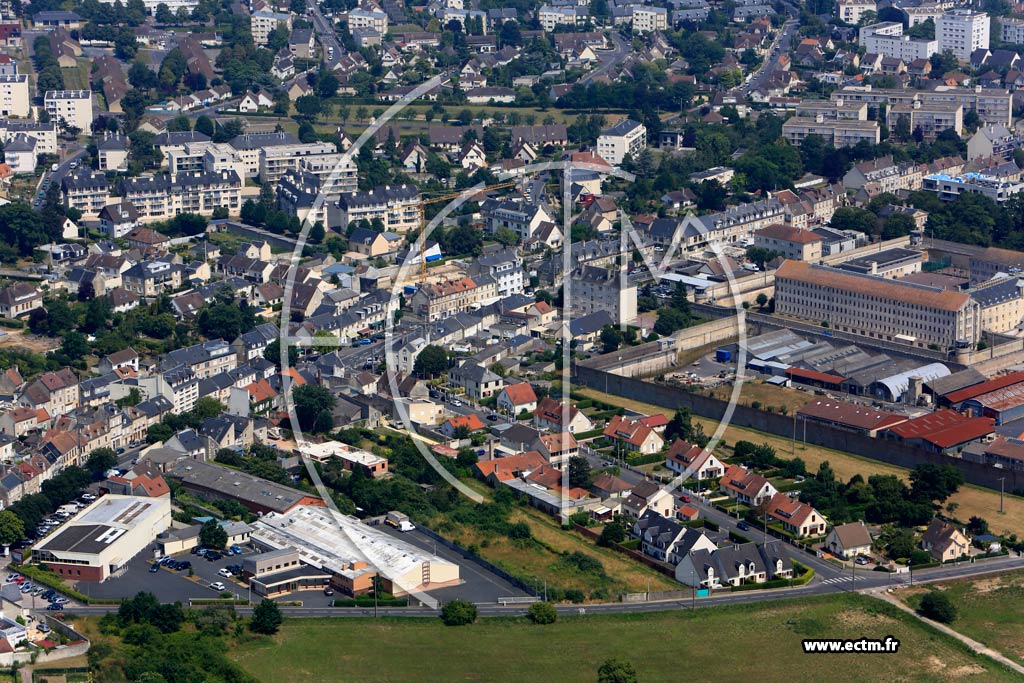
(742, 645)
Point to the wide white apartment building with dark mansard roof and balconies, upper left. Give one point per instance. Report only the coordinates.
(163, 197)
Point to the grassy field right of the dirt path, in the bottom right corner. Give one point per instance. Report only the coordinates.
(990, 610)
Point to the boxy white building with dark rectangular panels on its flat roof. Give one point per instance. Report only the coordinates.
(101, 540)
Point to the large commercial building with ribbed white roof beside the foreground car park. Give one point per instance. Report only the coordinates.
(349, 551)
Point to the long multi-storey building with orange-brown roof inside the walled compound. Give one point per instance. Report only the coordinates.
(877, 308)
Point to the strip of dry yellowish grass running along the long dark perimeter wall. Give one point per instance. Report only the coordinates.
(972, 500)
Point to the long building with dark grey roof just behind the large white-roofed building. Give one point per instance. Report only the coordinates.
(219, 483)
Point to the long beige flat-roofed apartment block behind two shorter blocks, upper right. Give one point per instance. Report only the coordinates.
(995, 106)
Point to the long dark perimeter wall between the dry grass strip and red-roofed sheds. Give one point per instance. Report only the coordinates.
(774, 423)
